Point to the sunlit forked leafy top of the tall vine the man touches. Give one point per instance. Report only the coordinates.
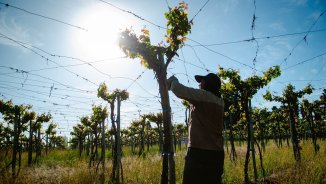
(140, 47)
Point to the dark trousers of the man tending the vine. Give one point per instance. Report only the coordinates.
(203, 166)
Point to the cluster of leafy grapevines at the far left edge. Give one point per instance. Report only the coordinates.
(21, 131)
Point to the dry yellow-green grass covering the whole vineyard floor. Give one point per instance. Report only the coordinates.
(64, 166)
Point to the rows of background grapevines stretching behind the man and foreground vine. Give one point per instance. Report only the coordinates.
(296, 119)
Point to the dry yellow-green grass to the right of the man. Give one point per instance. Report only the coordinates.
(280, 166)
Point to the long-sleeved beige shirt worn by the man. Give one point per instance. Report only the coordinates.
(206, 119)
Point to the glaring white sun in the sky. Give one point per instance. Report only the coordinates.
(103, 24)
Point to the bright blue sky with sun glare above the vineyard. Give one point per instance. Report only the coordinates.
(55, 53)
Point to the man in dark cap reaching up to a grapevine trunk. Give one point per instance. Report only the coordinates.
(205, 154)
